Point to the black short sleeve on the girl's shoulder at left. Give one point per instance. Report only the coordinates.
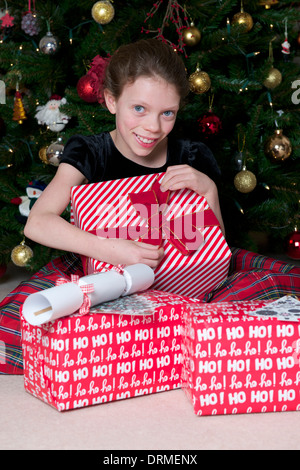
(85, 153)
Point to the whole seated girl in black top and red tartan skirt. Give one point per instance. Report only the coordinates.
(145, 85)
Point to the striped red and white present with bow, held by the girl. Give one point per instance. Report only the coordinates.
(196, 257)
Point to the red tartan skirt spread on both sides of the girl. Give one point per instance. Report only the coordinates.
(251, 277)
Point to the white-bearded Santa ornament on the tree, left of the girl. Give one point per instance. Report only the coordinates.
(50, 114)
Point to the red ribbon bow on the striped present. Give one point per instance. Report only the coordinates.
(180, 231)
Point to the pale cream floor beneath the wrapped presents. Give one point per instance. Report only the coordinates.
(163, 421)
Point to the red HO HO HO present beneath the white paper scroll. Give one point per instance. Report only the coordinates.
(121, 349)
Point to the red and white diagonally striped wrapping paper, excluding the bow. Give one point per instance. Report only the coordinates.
(107, 205)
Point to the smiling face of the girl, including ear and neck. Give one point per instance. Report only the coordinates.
(145, 114)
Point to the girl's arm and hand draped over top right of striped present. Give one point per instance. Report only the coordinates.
(184, 176)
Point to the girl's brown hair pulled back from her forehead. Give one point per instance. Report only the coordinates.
(147, 57)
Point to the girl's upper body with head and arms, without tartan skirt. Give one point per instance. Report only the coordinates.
(144, 86)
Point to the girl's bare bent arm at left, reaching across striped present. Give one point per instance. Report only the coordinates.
(46, 226)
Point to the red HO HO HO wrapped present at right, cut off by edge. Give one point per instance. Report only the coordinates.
(238, 358)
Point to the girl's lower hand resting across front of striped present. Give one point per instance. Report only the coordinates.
(120, 251)
